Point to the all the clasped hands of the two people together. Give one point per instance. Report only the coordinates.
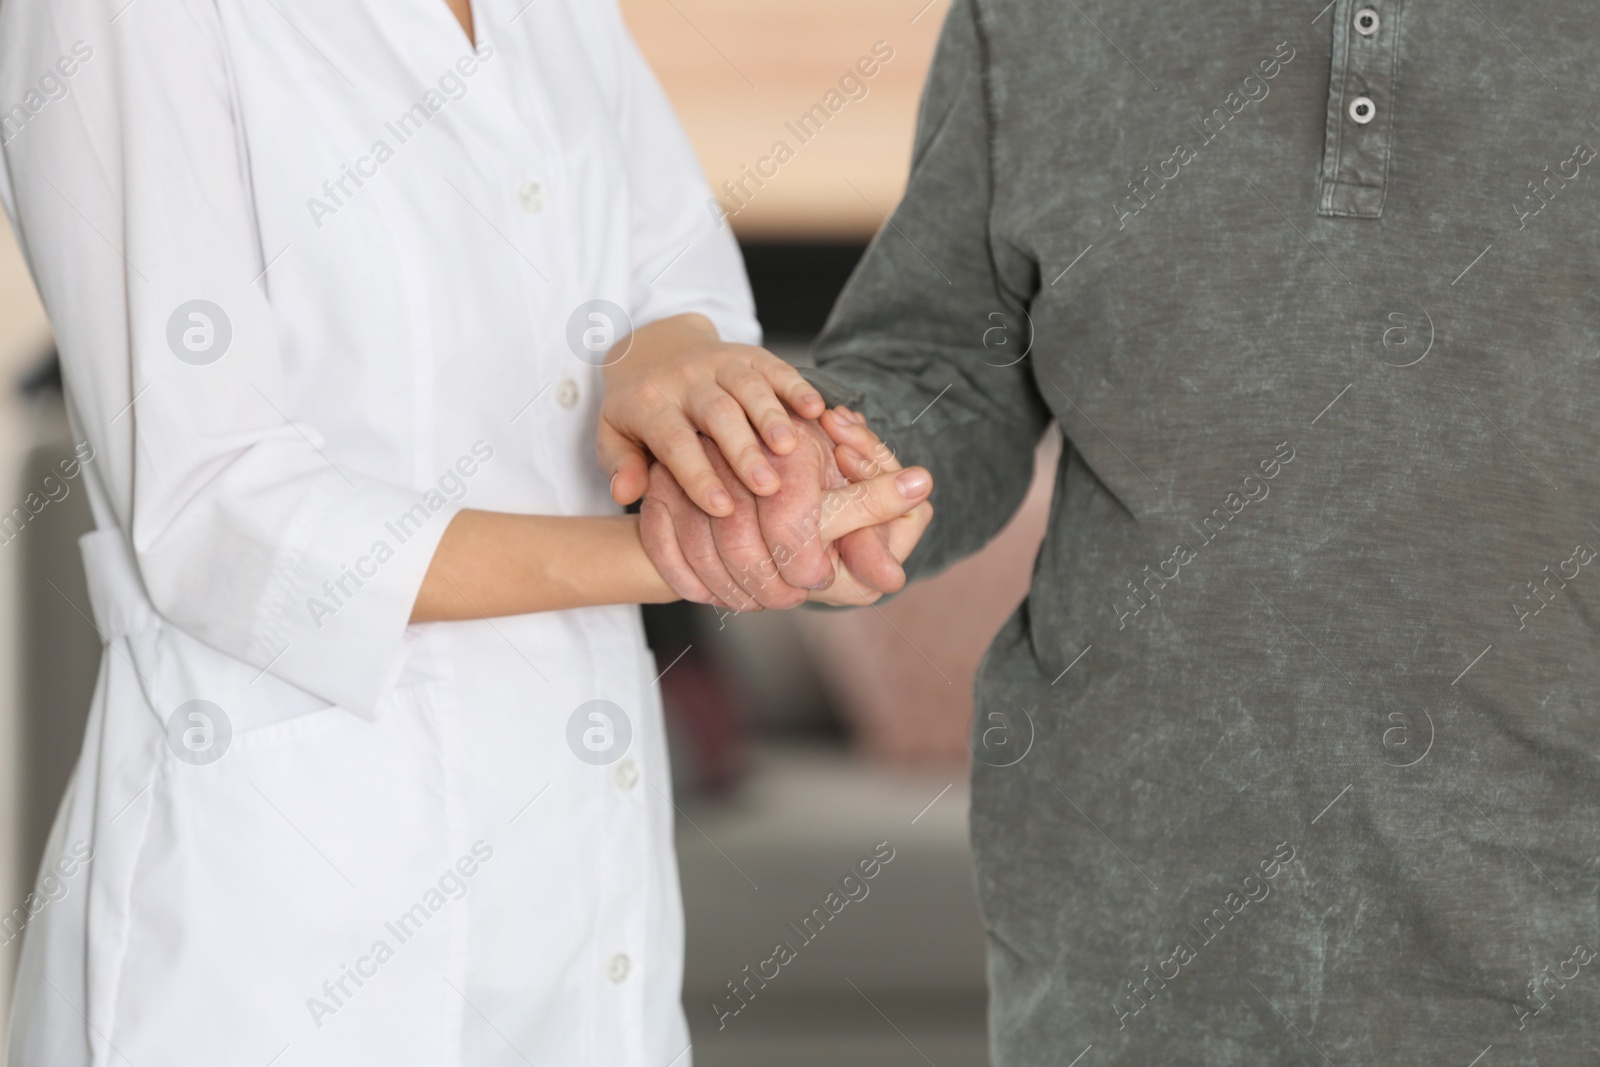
(754, 494)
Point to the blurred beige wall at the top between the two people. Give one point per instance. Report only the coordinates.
(740, 70)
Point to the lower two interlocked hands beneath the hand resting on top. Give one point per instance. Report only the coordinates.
(740, 561)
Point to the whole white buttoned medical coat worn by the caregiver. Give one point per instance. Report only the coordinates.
(322, 274)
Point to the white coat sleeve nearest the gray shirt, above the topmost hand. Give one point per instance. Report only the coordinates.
(686, 258)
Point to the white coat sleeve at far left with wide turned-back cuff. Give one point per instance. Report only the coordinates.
(132, 198)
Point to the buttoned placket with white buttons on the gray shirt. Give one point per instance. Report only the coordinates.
(1361, 108)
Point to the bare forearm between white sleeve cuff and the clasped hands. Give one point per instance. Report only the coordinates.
(492, 564)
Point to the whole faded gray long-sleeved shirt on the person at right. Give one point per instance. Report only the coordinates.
(1290, 757)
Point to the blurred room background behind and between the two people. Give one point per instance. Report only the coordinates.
(801, 741)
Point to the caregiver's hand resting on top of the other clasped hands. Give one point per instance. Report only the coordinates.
(678, 380)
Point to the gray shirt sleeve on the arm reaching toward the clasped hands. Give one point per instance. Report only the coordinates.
(927, 338)
